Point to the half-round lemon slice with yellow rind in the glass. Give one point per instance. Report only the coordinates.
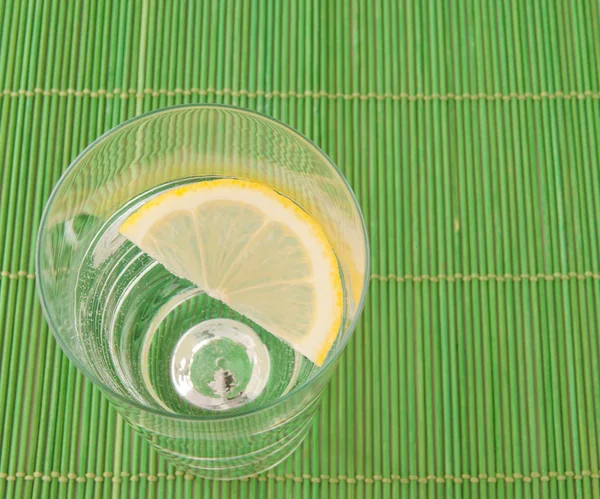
(252, 248)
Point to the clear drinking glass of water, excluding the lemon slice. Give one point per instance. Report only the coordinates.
(120, 317)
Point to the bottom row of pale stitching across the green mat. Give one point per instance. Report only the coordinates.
(480, 478)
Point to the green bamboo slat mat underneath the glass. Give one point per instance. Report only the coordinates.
(470, 131)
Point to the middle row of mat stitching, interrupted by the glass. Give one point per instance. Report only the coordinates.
(426, 278)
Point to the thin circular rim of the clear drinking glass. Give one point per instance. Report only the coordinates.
(131, 401)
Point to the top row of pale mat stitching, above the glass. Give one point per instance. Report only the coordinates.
(132, 92)
